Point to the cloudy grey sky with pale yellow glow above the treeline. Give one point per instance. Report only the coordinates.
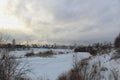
(60, 21)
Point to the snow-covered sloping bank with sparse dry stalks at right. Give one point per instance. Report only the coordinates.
(108, 65)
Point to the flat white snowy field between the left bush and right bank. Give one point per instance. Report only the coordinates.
(49, 67)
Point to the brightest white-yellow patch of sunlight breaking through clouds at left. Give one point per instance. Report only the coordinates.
(7, 21)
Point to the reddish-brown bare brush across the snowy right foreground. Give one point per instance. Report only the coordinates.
(85, 70)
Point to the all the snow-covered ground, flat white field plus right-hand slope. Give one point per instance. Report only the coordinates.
(52, 67)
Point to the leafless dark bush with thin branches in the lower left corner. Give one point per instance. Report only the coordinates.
(11, 69)
